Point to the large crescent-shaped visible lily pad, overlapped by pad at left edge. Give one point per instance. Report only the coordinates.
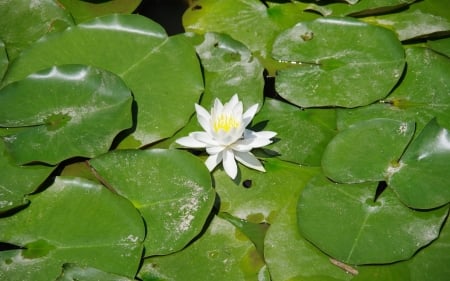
(162, 72)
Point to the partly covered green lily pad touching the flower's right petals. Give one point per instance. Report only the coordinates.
(302, 135)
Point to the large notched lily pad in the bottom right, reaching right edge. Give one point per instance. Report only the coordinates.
(364, 231)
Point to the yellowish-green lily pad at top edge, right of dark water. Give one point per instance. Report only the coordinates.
(249, 21)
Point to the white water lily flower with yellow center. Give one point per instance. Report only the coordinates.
(226, 138)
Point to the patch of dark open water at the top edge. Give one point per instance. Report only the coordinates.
(167, 13)
